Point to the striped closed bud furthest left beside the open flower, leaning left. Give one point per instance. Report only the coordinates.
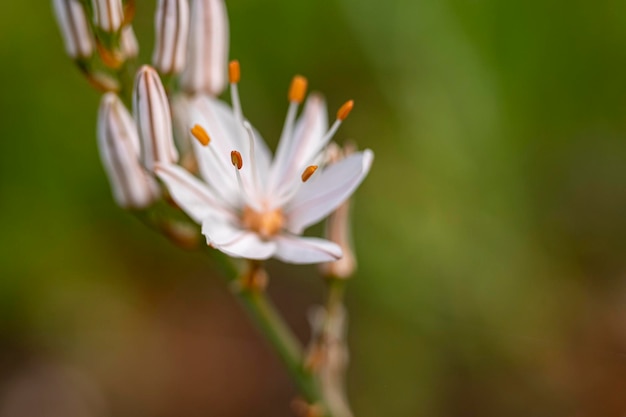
(119, 150)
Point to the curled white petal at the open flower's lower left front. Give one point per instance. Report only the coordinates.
(236, 242)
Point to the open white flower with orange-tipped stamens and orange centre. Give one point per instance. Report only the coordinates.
(251, 206)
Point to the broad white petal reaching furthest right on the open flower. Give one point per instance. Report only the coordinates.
(320, 196)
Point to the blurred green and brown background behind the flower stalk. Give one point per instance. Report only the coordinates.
(491, 232)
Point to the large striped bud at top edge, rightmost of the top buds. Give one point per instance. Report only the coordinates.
(207, 53)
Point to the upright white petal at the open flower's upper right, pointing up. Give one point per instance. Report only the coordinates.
(299, 151)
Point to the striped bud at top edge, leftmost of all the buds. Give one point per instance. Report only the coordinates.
(71, 17)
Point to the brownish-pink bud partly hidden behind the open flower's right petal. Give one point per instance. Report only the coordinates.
(338, 228)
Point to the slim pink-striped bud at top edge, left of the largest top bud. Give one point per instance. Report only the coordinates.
(171, 29)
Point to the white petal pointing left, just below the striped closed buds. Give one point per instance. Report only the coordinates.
(191, 194)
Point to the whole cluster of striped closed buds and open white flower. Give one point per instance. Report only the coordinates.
(219, 170)
